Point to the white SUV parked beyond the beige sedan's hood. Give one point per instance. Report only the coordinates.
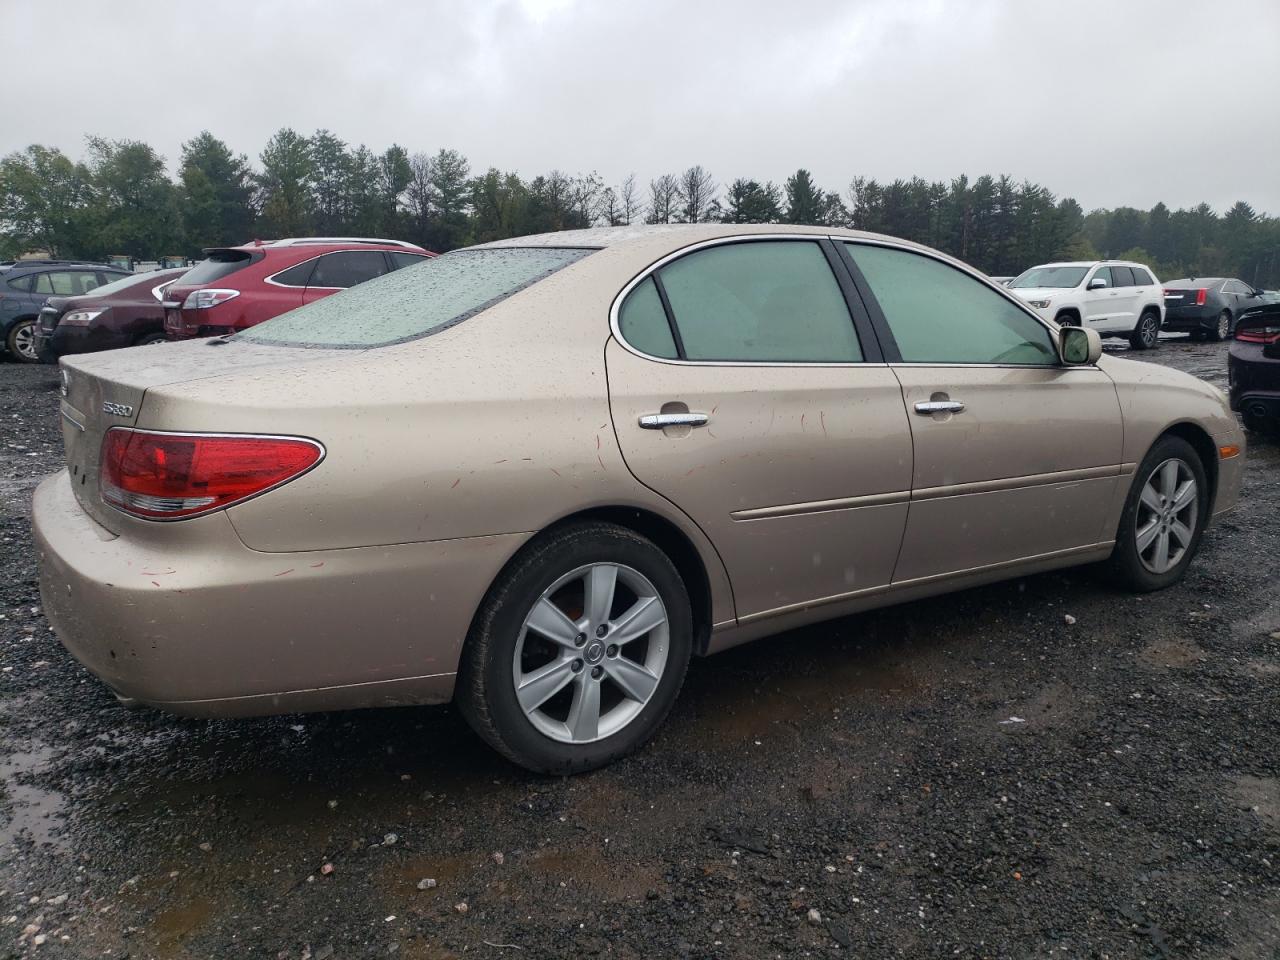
(1114, 298)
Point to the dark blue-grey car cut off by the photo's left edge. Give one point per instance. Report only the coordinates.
(29, 284)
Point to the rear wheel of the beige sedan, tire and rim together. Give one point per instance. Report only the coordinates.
(579, 651)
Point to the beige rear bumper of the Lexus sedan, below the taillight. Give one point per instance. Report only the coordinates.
(199, 624)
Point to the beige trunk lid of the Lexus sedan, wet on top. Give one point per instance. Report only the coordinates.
(108, 390)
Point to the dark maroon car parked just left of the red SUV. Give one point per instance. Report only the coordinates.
(126, 313)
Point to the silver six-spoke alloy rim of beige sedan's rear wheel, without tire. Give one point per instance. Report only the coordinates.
(591, 653)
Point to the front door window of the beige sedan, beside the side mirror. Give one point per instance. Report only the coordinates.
(941, 316)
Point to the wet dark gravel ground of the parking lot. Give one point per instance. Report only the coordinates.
(972, 776)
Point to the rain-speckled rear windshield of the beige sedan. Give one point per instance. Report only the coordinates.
(417, 301)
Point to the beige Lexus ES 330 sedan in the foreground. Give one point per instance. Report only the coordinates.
(537, 477)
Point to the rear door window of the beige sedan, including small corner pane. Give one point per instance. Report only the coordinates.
(758, 301)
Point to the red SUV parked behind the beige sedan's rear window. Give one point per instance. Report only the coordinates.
(237, 287)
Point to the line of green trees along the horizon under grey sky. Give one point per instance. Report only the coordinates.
(120, 199)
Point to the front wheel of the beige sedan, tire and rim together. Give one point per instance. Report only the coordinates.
(1164, 518)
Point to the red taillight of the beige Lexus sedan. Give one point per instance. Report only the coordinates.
(166, 477)
